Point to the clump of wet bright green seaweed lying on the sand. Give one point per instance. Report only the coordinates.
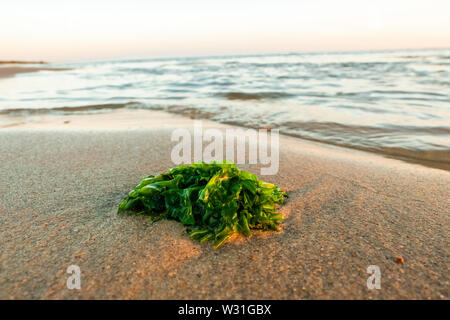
(213, 200)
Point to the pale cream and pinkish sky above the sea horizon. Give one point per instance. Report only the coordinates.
(61, 30)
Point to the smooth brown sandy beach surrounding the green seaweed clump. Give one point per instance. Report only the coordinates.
(63, 177)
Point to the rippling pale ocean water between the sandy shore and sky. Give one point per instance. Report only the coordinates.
(391, 102)
